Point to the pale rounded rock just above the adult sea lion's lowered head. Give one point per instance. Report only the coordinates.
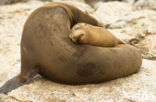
(112, 12)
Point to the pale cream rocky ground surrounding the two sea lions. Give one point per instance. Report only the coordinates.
(132, 24)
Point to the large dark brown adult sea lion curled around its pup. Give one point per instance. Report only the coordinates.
(47, 49)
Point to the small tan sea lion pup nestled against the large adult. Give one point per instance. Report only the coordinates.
(93, 35)
